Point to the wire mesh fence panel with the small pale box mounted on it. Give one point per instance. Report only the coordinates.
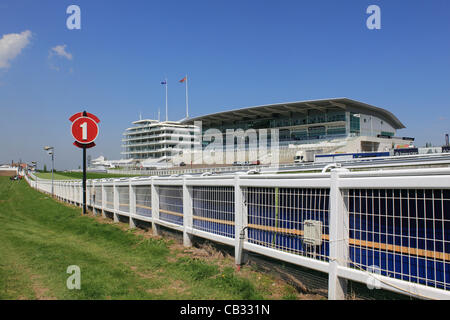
(293, 220)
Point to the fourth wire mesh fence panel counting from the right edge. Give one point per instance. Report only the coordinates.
(171, 204)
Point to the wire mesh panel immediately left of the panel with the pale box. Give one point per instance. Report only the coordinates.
(213, 210)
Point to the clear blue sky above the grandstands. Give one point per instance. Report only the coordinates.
(236, 54)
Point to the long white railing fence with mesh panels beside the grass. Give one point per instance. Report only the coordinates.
(387, 229)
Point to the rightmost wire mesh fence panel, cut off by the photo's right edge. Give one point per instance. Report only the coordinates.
(401, 233)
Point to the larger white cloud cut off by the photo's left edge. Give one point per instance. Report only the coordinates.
(11, 45)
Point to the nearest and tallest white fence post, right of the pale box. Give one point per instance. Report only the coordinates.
(339, 235)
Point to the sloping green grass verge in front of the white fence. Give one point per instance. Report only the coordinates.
(41, 237)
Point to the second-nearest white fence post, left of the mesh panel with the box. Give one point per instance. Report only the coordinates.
(240, 223)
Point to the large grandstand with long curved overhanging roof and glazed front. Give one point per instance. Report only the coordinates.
(328, 125)
